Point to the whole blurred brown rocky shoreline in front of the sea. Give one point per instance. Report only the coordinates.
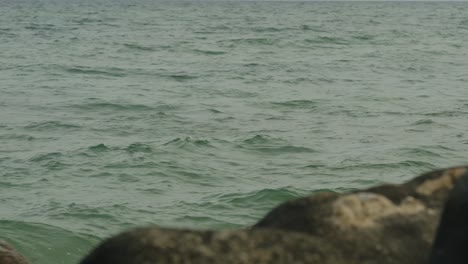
(383, 225)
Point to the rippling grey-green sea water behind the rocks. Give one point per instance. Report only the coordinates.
(206, 115)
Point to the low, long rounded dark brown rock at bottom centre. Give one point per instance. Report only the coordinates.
(154, 245)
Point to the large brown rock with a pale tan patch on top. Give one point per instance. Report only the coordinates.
(384, 224)
